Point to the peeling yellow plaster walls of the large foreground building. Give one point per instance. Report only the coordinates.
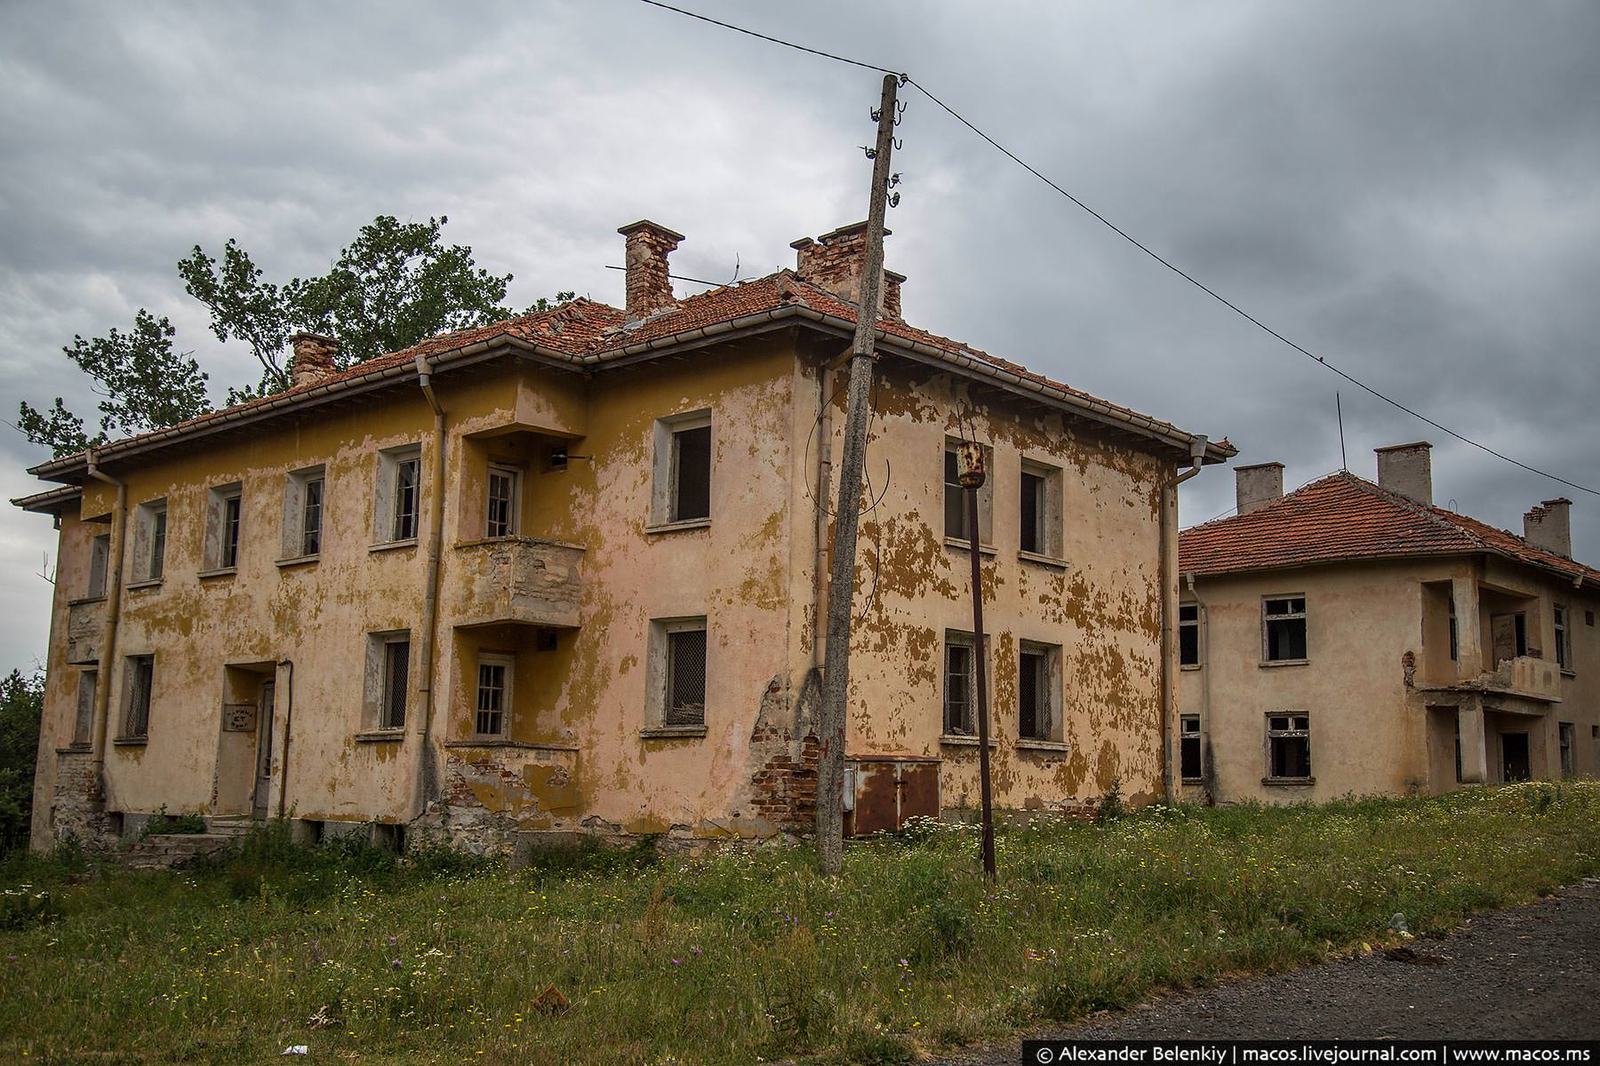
(577, 755)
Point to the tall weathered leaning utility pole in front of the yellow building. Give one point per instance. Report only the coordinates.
(842, 582)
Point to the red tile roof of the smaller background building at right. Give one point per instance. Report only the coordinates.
(1346, 518)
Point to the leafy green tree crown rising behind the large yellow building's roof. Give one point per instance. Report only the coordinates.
(394, 286)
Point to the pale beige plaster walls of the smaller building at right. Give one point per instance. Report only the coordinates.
(1370, 732)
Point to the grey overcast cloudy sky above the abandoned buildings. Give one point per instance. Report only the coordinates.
(1409, 190)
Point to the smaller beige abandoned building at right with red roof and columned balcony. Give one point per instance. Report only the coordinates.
(1354, 638)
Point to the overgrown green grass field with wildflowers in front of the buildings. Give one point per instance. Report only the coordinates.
(738, 958)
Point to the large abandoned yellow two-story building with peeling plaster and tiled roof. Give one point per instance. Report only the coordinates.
(564, 574)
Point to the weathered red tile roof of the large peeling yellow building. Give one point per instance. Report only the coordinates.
(588, 334)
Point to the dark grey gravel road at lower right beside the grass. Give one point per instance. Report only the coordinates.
(1526, 972)
